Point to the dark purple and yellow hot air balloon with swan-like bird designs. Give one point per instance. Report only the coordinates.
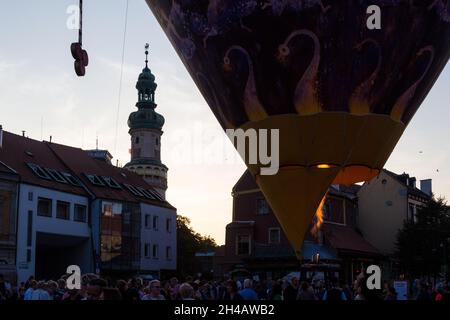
(340, 94)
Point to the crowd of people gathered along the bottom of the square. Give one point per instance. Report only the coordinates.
(94, 287)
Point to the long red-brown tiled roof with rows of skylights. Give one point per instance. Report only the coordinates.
(17, 151)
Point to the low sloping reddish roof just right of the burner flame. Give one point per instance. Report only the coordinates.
(347, 239)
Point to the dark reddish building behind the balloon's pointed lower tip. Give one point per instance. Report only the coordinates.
(255, 241)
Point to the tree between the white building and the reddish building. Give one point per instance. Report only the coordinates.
(189, 243)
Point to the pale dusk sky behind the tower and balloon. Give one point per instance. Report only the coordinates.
(40, 93)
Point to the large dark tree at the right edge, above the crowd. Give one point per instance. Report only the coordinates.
(422, 244)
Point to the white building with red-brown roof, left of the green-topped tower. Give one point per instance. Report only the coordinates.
(70, 207)
